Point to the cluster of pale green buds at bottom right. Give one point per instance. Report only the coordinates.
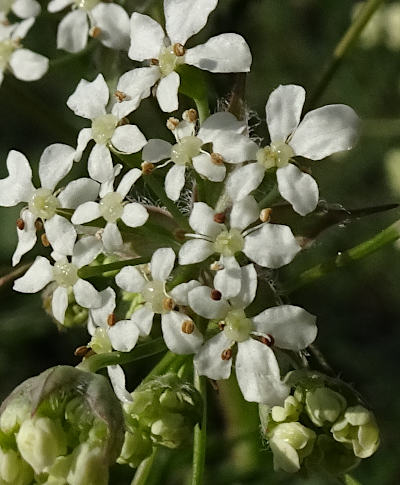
(321, 426)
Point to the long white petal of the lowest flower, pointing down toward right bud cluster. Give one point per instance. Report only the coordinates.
(258, 374)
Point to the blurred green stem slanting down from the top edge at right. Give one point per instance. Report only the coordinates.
(343, 47)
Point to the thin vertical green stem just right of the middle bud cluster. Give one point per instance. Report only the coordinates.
(200, 434)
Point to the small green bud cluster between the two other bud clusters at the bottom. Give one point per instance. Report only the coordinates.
(163, 412)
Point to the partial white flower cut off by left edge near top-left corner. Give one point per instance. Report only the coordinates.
(23, 63)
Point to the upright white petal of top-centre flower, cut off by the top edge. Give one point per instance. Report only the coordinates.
(184, 19)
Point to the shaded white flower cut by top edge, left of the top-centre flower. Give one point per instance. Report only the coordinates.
(107, 22)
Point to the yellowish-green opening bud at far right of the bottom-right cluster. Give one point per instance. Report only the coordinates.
(358, 428)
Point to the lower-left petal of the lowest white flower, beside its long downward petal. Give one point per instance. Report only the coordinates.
(208, 361)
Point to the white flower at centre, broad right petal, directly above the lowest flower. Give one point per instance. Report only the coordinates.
(269, 245)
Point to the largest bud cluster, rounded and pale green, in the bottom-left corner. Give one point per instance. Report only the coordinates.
(63, 427)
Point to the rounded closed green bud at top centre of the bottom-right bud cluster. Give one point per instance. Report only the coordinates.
(324, 405)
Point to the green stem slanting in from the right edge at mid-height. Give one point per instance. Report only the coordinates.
(387, 236)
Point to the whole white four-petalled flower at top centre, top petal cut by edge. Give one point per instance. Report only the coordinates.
(183, 19)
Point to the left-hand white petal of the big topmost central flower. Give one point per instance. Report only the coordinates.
(147, 37)
